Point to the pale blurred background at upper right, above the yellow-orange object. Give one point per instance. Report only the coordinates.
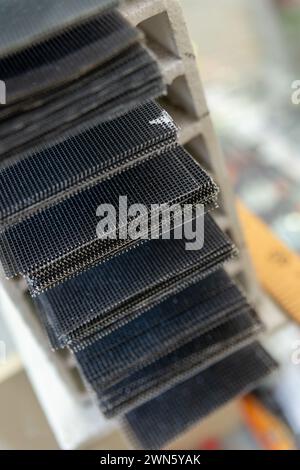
(248, 54)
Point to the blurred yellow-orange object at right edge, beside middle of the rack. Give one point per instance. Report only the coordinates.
(277, 267)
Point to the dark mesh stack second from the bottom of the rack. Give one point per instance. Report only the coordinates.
(165, 344)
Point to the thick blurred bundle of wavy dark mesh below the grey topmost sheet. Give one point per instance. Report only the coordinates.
(93, 69)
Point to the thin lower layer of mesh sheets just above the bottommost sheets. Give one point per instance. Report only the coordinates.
(185, 361)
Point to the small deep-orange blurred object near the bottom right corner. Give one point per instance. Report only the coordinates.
(269, 431)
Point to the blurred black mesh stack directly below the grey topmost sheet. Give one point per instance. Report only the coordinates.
(65, 57)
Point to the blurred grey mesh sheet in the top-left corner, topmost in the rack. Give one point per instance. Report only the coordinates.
(25, 23)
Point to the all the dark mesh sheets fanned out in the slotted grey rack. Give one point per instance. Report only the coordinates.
(161, 334)
